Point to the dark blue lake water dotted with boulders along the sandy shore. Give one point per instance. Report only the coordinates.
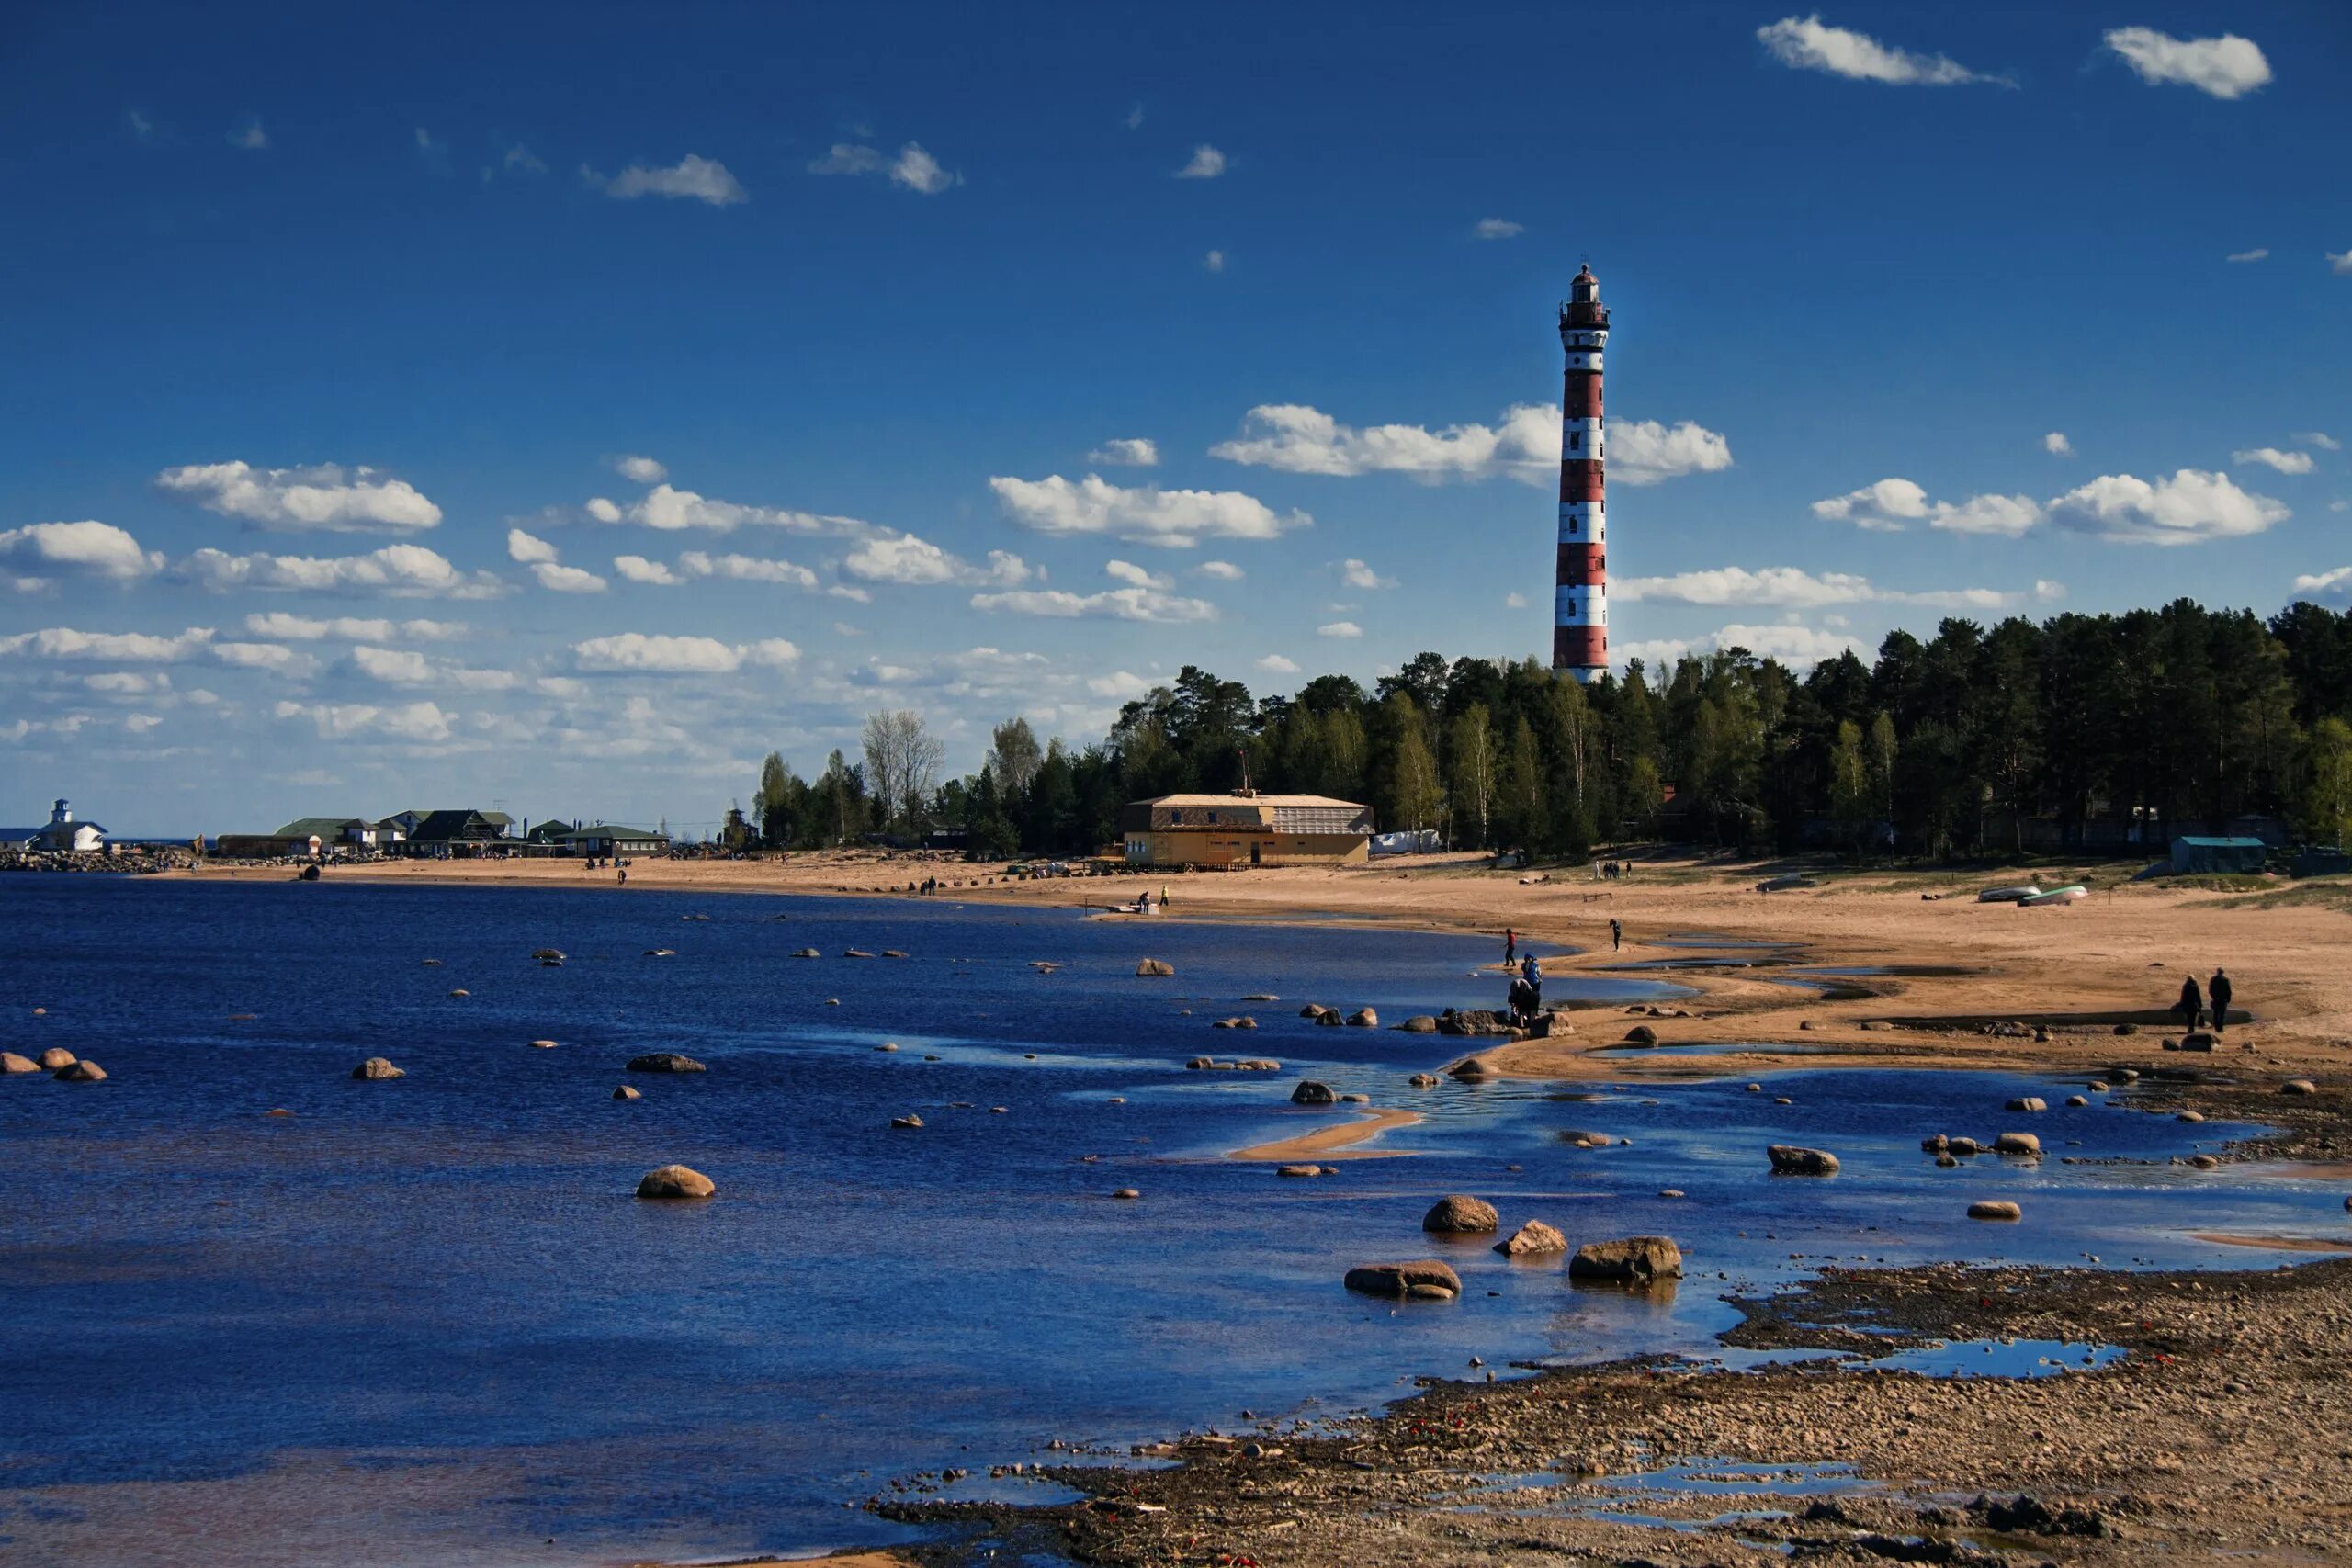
(427, 1322)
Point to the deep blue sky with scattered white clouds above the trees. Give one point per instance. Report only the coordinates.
(563, 406)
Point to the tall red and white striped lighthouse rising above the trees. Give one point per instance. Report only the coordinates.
(1582, 596)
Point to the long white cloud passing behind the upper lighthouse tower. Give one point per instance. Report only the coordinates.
(1299, 438)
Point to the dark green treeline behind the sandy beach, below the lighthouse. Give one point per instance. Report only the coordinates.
(2177, 718)
